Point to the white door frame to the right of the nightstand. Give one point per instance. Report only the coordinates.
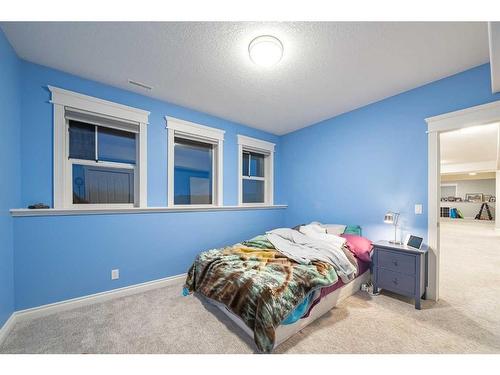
(479, 115)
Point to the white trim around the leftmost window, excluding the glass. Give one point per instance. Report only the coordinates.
(61, 99)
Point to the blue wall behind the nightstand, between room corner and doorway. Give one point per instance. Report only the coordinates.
(356, 166)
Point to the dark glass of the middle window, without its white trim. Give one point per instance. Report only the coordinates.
(193, 172)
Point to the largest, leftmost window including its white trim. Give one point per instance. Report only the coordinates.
(99, 153)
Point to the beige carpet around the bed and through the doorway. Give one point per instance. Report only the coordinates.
(465, 320)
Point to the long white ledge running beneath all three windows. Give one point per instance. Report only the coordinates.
(19, 212)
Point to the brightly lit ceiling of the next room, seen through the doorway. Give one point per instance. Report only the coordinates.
(469, 145)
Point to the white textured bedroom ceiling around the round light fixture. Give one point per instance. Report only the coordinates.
(327, 69)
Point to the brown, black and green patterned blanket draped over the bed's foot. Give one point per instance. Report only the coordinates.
(257, 283)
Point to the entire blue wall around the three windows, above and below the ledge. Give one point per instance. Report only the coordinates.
(63, 257)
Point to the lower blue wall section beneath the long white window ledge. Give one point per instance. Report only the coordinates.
(65, 257)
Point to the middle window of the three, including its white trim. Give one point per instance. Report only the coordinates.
(194, 164)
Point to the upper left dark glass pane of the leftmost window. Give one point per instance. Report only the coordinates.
(81, 140)
